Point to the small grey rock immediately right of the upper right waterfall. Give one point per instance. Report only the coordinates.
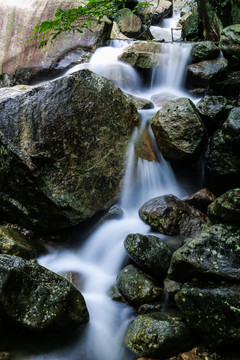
(205, 50)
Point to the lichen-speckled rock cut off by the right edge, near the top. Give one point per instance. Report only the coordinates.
(230, 42)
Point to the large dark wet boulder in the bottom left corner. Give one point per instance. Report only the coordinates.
(37, 299)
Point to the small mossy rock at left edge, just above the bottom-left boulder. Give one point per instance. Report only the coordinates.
(12, 242)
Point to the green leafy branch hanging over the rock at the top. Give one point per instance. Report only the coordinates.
(80, 18)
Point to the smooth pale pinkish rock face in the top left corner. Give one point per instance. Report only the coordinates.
(19, 54)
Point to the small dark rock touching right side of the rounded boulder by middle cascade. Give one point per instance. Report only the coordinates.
(212, 110)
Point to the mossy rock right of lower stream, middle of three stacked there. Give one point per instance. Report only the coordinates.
(137, 287)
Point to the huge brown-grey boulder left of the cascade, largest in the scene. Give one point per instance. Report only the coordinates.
(70, 138)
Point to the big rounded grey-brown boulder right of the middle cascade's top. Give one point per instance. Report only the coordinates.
(171, 126)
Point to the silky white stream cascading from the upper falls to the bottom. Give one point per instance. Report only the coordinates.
(101, 257)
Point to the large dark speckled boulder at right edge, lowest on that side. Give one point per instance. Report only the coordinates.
(212, 311)
